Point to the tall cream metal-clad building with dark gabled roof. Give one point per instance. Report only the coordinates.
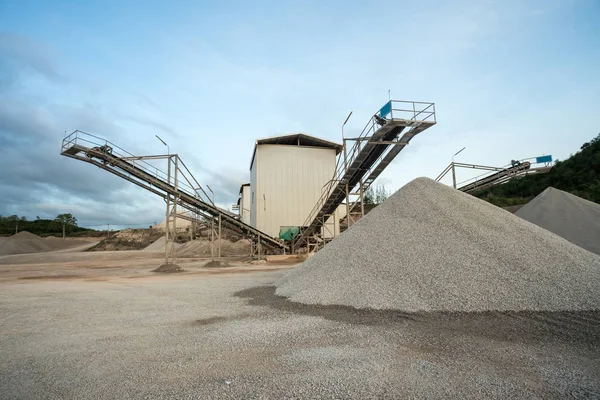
(287, 178)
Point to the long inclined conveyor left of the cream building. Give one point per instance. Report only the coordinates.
(177, 186)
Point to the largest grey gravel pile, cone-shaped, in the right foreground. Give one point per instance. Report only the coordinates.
(432, 248)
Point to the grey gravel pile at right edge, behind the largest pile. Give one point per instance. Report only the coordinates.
(567, 215)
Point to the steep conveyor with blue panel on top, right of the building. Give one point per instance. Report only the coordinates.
(385, 135)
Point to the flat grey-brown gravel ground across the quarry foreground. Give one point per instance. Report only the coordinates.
(100, 325)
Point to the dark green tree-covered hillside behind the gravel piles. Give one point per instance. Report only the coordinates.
(579, 175)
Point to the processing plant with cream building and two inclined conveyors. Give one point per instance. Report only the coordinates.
(300, 186)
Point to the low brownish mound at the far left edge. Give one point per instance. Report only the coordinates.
(25, 242)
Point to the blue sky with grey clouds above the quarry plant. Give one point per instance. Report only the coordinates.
(510, 79)
